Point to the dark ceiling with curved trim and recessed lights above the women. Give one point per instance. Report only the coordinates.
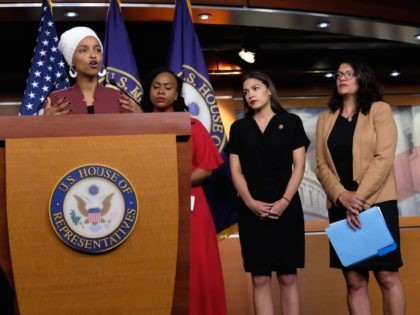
(291, 48)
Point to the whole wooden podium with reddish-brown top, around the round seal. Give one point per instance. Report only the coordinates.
(148, 272)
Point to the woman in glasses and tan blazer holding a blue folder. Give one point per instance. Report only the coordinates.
(355, 148)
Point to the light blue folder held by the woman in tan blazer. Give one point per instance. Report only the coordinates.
(353, 246)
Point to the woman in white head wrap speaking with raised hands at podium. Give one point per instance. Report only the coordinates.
(83, 52)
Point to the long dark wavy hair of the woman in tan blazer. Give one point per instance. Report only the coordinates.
(369, 89)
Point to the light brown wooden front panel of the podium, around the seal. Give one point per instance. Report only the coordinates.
(138, 276)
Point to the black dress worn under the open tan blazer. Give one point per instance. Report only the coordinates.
(340, 144)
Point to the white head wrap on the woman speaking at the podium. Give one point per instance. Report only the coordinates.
(71, 38)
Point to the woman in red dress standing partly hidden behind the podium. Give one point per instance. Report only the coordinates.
(163, 93)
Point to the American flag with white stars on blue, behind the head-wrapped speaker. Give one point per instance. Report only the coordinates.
(48, 71)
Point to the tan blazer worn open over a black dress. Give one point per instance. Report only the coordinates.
(374, 144)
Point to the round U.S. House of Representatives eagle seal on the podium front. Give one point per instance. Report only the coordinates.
(93, 208)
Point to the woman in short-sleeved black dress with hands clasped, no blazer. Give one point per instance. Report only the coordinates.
(267, 159)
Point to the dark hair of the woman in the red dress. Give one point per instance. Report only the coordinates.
(146, 104)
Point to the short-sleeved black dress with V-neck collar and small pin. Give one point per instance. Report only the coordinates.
(266, 161)
